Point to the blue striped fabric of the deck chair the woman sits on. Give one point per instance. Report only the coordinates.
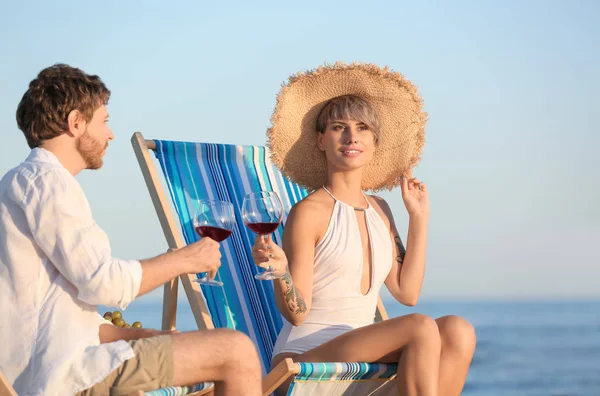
(228, 172)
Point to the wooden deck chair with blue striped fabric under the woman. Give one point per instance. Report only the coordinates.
(195, 171)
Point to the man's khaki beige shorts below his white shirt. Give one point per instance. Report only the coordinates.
(150, 369)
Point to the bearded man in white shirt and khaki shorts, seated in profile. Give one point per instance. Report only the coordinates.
(56, 267)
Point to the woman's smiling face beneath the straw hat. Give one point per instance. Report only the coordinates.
(348, 144)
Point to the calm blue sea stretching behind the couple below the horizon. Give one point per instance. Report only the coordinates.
(529, 348)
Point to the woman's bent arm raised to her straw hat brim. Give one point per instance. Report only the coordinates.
(405, 279)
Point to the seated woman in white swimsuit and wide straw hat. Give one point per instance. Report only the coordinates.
(340, 130)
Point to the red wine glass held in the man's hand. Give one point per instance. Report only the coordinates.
(214, 220)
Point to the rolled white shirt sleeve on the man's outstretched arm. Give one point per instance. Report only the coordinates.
(61, 222)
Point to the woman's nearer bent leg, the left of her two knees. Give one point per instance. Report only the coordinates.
(412, 341)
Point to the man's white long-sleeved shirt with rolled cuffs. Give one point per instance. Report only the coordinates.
(55, 268)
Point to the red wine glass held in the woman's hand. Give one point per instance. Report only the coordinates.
(262, 212)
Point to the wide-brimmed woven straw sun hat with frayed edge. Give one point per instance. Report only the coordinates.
(292, 137)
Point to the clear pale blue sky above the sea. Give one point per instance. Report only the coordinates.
(511, 89)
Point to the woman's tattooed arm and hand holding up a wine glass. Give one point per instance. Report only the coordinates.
(293, 292)
